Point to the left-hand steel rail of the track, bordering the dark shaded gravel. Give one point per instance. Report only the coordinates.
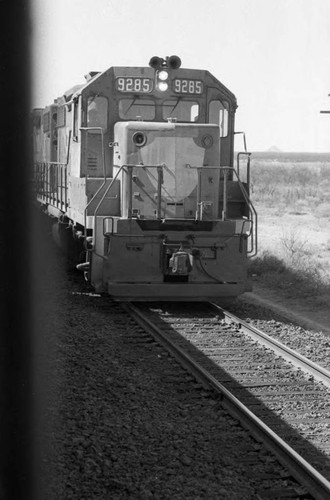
(303, 472)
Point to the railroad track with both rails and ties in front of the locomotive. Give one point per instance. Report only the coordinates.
(281, 397)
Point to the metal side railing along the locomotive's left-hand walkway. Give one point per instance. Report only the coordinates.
(51, 186)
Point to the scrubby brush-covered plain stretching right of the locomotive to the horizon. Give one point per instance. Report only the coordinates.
(284, 188)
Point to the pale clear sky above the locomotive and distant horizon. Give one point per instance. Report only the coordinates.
(274, 55)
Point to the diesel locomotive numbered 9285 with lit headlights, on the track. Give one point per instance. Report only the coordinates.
(136, 165)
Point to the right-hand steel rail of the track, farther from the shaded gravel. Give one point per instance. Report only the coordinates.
(295, 358)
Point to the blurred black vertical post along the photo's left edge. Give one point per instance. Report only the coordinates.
(16, 442)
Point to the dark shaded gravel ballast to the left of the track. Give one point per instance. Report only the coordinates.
(117, 418)
